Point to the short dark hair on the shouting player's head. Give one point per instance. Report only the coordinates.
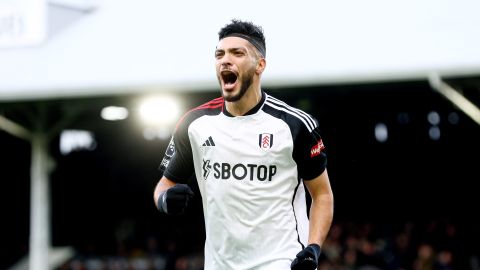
(247, 30)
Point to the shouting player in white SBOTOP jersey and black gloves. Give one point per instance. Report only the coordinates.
(252, 156)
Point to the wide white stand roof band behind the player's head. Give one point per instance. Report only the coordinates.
(142, 45)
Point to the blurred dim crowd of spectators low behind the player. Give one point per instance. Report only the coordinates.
(433, 245)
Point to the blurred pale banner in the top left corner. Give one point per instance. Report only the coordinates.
(22, 22)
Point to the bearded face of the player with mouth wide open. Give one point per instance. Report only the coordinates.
(235, 65)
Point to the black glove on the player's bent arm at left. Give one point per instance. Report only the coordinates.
(174, 200)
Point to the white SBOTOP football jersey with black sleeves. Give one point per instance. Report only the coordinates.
(249, 170)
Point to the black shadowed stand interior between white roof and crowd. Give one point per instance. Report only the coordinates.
(102, 196)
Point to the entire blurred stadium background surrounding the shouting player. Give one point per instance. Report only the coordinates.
(90, 91)
